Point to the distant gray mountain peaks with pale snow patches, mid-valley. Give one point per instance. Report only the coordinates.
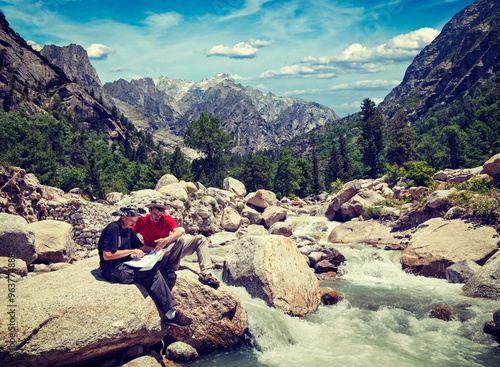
(260, 121)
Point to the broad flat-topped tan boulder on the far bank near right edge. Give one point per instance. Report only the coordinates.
(439, 243)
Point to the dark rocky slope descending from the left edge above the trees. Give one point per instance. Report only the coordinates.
(31, 82)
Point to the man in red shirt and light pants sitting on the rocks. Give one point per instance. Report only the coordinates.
(158, 230)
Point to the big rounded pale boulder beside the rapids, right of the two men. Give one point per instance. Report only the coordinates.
(273, 269)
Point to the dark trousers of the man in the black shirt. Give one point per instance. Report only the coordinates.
(152, 280)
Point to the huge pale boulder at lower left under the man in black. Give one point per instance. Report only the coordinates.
(73, 315)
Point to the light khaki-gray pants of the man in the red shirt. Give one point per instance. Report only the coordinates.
(187, 245)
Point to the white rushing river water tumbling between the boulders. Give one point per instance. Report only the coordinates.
(383, 320)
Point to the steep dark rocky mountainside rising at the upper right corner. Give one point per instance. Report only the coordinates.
(464, 55)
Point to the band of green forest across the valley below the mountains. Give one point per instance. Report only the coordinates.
(463, 134)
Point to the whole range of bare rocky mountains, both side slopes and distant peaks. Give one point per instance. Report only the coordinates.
(464, 55)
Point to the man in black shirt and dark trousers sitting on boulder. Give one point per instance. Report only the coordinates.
(118, 243)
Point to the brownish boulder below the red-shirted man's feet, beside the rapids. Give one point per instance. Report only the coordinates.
(219, 316)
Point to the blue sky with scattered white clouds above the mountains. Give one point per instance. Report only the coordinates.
(336, 53)
